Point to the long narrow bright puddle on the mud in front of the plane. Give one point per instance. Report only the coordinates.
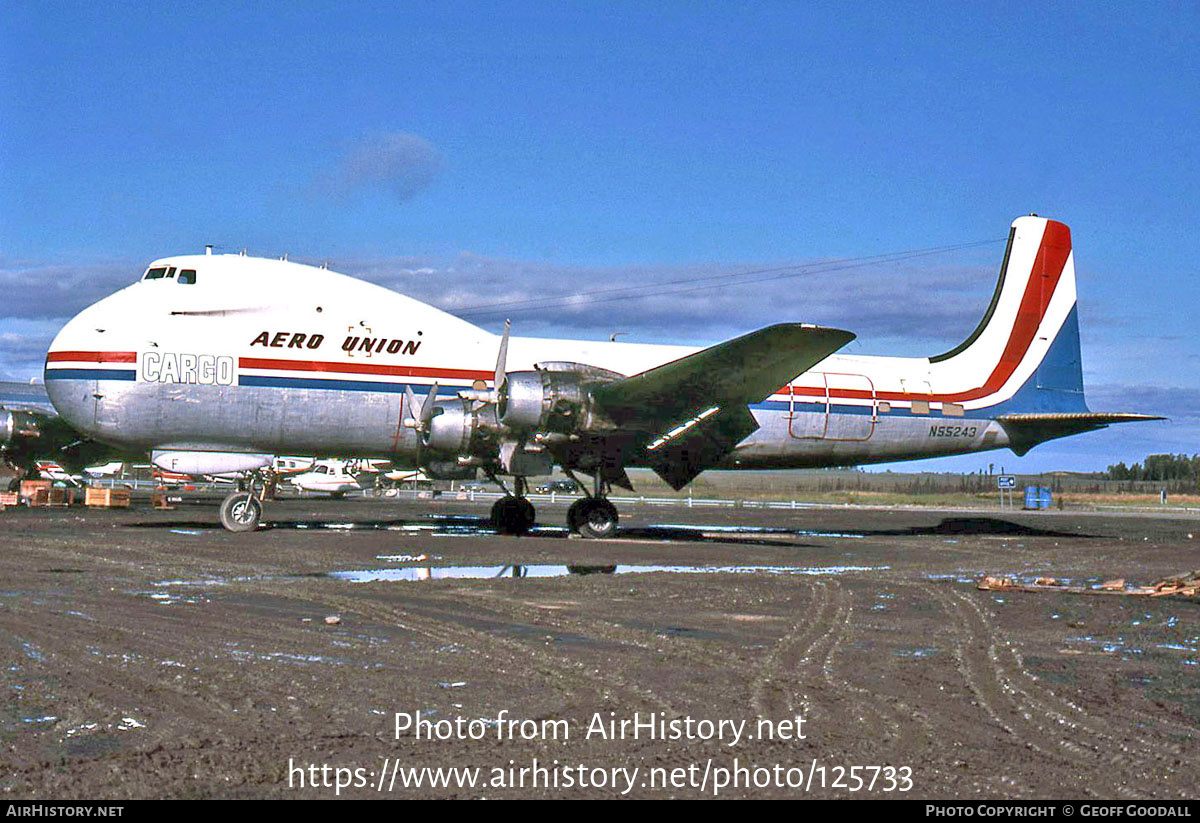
(413, 574)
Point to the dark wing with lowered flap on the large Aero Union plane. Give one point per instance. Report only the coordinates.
(693, 412)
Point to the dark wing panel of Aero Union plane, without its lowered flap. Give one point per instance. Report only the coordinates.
(739, 373)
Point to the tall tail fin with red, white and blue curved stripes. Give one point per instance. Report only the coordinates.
(1024, 356)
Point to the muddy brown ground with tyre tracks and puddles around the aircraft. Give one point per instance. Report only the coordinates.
(149, 654)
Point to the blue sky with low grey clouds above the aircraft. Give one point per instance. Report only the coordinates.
(470, 153)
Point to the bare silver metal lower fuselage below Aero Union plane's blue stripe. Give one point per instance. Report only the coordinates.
(141, 416)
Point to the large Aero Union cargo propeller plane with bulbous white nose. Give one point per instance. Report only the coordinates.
(219, 363)
